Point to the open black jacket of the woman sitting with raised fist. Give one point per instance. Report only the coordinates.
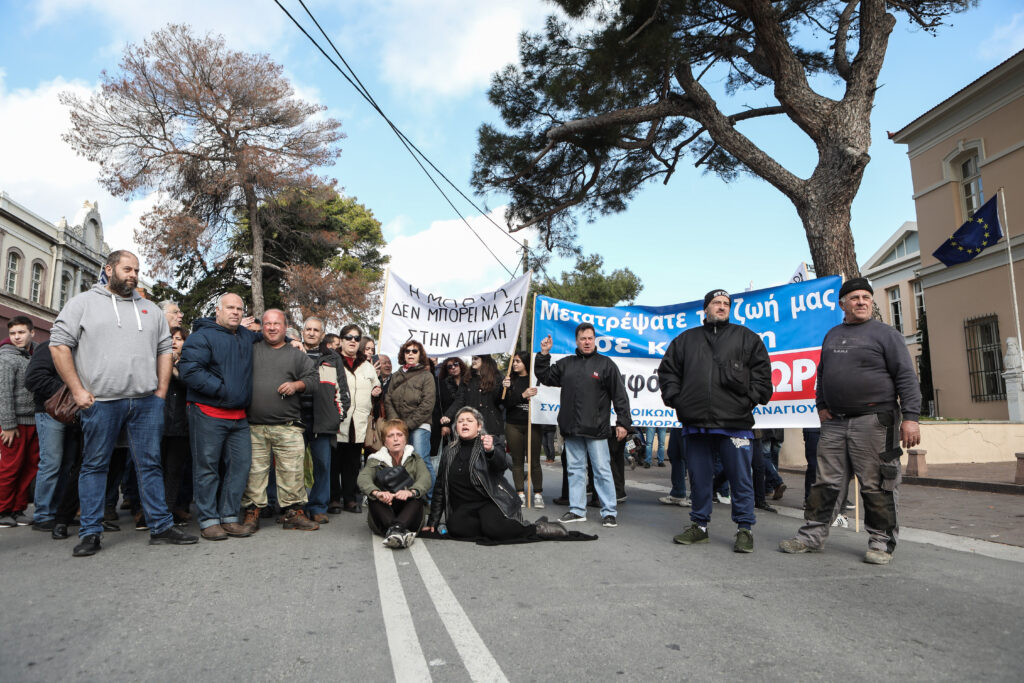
(487, 474)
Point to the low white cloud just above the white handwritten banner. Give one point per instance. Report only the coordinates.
(446, 259)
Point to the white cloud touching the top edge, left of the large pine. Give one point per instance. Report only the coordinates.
(451, 48)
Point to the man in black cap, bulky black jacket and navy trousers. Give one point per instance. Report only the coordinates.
(714, 376)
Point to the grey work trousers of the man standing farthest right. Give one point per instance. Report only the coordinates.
(855, 444)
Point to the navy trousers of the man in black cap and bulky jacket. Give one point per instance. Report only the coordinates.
(736, 455)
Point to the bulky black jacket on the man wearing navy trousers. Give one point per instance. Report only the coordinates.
(715, 375)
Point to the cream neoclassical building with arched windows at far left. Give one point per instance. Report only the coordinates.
(45, 265)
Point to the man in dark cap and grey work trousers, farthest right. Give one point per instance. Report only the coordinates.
(865, 368)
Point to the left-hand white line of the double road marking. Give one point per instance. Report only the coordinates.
(407, 656)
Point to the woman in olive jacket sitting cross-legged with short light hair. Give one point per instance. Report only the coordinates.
(396, 496)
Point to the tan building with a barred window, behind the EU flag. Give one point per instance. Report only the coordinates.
(962, 152)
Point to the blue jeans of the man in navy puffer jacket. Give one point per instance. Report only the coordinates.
(214, 439)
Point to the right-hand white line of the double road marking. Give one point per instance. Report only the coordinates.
(476, 656)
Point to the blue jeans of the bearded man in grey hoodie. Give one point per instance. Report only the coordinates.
(102, 423)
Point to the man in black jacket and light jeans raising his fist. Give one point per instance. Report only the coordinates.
(591, 383)
